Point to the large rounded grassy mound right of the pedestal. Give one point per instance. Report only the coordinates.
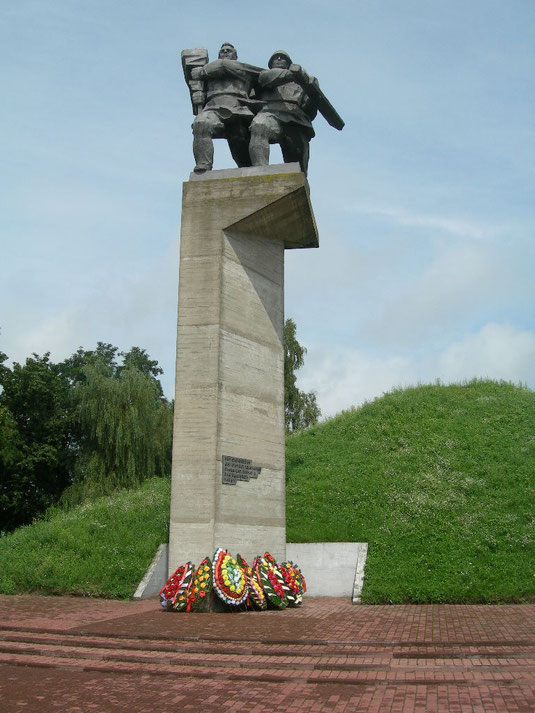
(439, 480)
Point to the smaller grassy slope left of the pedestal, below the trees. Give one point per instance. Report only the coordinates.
(100, 548)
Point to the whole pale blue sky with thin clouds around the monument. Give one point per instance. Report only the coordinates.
(425, 202)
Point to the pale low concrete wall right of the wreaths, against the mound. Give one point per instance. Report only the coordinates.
(330, 568)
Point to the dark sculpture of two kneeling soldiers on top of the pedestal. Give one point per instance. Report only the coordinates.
(253, 108)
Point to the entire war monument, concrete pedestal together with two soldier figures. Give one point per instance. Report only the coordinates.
(228, 472)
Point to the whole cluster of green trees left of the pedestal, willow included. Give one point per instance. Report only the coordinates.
(84, 426)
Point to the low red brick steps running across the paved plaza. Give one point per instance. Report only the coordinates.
(79, 653)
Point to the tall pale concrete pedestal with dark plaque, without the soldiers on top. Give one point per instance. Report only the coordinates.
(229, 401)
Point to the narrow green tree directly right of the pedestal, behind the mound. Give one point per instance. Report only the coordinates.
(300, 409)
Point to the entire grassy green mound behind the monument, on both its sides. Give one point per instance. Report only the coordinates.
(439, 480)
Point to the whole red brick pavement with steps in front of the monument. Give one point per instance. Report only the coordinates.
(91, 656)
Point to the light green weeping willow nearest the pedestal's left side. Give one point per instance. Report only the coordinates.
(125, 428)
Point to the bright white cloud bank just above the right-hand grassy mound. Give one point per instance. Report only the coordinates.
(348, 377)
